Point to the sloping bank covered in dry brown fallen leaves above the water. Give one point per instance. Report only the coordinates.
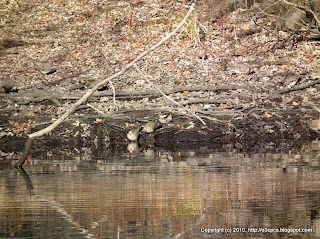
(227, 78)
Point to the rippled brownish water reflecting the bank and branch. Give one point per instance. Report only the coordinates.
(157, 194)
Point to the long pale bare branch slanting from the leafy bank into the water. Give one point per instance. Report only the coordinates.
(98, 86)
